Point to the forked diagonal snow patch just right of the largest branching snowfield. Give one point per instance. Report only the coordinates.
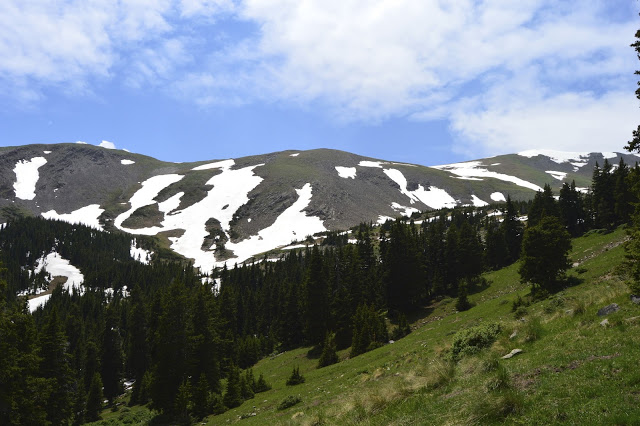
(292, 224)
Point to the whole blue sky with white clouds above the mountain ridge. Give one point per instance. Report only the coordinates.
(421, 81)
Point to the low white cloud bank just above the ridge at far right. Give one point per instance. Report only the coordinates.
(566, 121)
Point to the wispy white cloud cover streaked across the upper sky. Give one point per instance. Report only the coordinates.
(500, 71)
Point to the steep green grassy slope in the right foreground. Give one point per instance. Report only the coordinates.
(574, 368)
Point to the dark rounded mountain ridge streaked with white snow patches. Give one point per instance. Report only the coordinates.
(231, 210)
